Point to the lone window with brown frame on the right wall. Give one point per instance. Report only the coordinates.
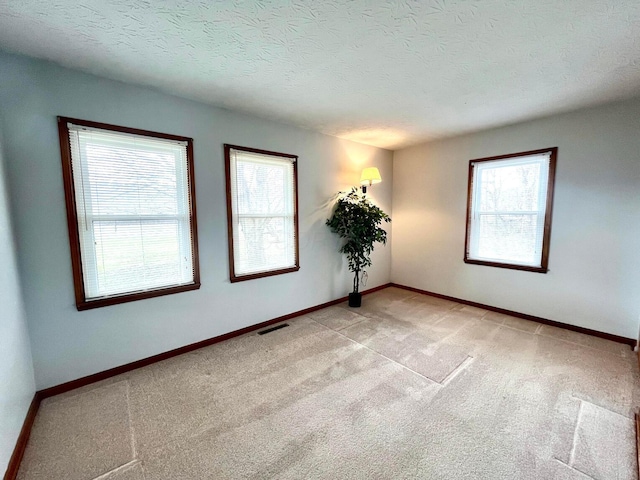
(509, 210)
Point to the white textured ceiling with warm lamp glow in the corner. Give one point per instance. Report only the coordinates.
(386, 73)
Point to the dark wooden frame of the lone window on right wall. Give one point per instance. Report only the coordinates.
(546, 236)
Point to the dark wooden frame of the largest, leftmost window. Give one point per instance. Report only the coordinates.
(82, 303)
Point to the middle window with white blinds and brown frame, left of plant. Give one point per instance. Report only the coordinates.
(262, 212)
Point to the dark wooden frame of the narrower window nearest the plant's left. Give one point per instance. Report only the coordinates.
(230, 227)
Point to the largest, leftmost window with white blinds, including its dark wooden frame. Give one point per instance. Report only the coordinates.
(131, 212)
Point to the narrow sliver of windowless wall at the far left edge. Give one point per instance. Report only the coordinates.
(16, 369)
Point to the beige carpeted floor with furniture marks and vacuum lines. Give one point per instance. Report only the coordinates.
(408, 386)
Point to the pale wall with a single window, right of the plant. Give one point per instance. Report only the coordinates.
(594, 271)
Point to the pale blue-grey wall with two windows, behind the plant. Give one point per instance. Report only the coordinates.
(68, 344)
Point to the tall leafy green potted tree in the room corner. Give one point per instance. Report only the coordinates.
(358, 221)
